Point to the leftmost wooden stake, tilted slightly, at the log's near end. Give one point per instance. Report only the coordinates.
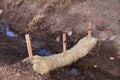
(29, 48)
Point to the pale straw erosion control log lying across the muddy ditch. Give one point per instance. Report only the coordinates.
(46, 64)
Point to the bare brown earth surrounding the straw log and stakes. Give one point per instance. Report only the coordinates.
(45, 21)
